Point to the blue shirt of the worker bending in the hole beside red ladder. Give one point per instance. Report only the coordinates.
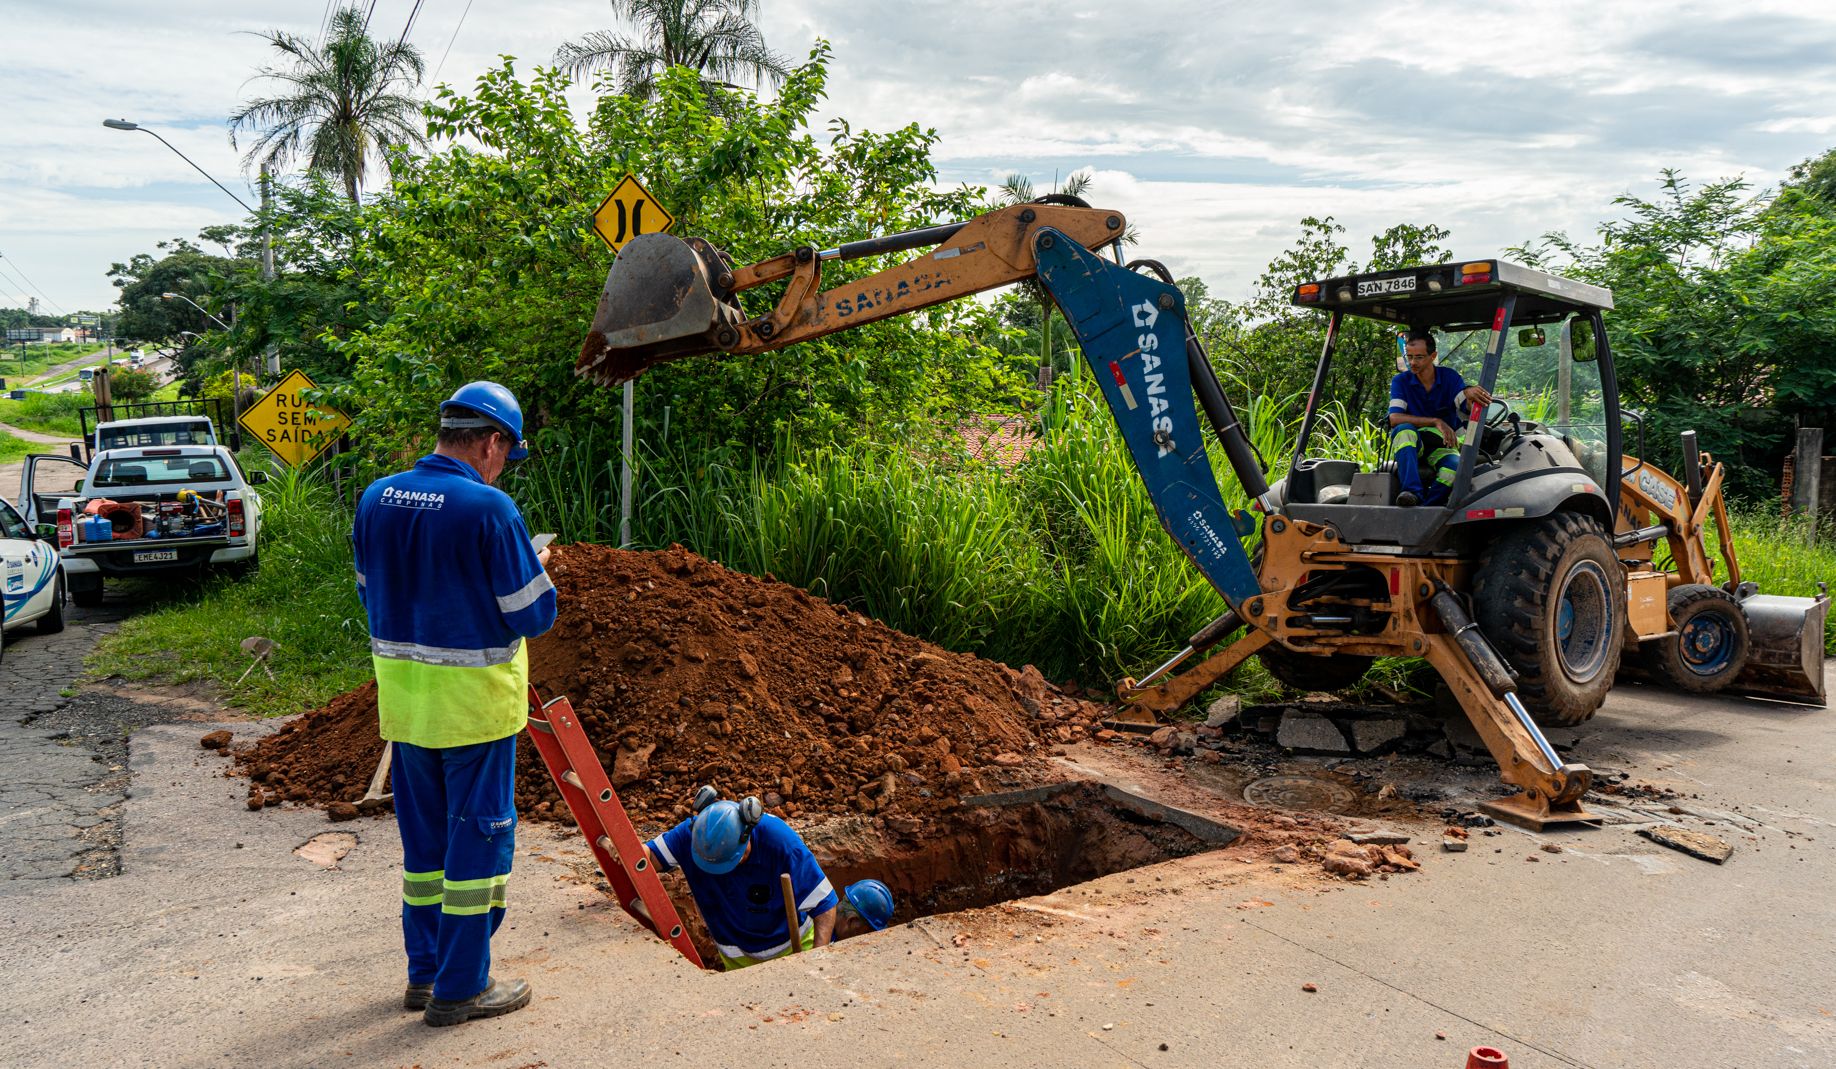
(744, 908)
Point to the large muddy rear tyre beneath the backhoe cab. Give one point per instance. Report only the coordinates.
(1549, 596)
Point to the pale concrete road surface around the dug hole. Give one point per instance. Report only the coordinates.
(221, 947)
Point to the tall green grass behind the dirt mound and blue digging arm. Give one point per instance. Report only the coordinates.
(1060, 563)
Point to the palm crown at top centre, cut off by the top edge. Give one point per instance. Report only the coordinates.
(713, 38)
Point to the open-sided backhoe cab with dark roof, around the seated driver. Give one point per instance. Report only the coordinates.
(1547, 444)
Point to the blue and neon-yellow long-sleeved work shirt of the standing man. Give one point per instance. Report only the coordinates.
(453, 589)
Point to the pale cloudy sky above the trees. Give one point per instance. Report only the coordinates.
(1215, 126)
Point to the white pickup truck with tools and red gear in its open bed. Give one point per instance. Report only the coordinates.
(142, 512)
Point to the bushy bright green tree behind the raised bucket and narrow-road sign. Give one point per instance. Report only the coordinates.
(486, 269)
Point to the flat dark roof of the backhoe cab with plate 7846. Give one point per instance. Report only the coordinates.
(1453, 295)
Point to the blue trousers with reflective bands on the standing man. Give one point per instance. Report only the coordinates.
(458, 815)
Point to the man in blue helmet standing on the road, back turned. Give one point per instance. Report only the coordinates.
(453, 587)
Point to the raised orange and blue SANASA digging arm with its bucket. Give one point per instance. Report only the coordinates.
(669, 298)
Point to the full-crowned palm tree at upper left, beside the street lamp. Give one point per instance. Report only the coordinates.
(341, 102)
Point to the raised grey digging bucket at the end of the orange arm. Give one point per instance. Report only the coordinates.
(658, 306)
